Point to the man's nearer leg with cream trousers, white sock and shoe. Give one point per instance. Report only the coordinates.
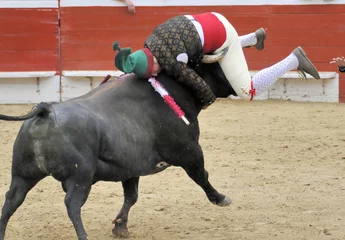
(236, 71)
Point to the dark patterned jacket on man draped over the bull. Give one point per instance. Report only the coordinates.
(173, 37)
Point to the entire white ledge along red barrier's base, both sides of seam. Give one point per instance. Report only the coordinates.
(19, 88)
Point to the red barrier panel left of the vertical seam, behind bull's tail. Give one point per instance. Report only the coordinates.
(29, 39)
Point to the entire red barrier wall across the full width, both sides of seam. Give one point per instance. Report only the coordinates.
(30, 36)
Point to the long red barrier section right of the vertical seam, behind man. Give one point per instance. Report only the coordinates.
(87, 33)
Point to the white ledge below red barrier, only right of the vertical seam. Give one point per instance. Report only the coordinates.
(289, 87)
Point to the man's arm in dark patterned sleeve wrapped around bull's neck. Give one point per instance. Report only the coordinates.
(191, 79)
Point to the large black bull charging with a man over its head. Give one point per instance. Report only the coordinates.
(119, 131)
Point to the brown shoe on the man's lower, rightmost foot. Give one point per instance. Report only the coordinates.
(304, 64)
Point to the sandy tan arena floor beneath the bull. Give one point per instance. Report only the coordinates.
(282, 163)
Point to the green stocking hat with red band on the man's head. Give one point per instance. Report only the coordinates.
(140, 62)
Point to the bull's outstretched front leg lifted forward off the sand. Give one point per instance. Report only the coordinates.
(193, 164)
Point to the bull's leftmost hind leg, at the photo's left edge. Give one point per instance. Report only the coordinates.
(14, 198)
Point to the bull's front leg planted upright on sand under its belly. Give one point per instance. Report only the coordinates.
(130, 191)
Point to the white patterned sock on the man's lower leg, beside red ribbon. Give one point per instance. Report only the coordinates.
(266, 77)
